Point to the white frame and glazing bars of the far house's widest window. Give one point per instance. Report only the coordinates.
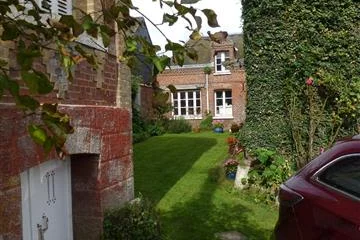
(187, 100)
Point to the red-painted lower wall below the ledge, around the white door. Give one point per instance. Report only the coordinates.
(105, 131)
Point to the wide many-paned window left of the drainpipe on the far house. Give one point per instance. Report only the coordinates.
(187, 104)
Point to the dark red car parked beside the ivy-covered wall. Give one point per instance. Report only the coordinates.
(322, 201)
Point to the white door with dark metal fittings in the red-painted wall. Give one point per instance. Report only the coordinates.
(46, 201)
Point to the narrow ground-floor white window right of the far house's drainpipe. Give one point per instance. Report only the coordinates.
(223, 103)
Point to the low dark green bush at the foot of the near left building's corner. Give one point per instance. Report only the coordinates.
(136, 221)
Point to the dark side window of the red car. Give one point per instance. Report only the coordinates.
(344, 175)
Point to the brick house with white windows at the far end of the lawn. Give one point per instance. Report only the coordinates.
(221, 93)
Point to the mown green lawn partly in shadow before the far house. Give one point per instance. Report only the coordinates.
(180, 173)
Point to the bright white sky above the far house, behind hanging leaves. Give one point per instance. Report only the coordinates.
(228, 16)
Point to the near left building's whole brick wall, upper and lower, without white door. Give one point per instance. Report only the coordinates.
(102, 130)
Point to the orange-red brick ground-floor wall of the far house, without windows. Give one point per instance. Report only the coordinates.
(234, 81)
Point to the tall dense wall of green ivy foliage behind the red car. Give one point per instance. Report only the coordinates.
(302, 69)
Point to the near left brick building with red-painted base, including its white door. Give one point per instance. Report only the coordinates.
(44, 196)
